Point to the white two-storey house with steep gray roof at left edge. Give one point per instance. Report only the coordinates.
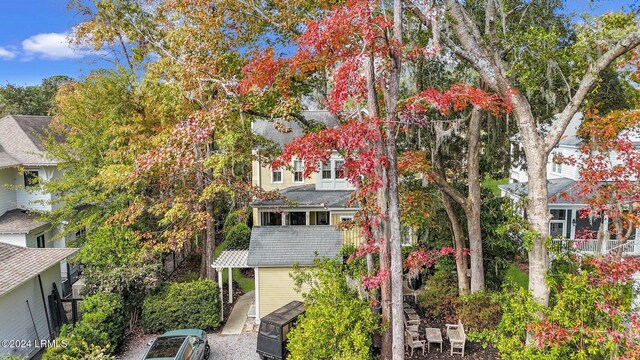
(24, 165)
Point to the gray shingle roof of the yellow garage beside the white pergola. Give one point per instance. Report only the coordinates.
(288, 245)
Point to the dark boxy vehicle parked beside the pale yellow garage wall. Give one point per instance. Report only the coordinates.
(274, 327)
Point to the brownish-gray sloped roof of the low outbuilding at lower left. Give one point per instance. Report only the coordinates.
(20, 264)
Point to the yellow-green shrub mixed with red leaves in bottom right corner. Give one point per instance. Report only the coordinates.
(587, 317)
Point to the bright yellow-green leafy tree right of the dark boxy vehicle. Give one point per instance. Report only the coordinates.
(336, 323)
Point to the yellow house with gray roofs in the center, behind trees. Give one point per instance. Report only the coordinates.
(301, 225)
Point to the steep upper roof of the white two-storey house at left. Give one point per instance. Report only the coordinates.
(19, 139)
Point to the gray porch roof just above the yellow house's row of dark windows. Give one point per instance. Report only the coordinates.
(307, 195)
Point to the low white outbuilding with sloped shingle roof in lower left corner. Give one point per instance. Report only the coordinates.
(27, 278)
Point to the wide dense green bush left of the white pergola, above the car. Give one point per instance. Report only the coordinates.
(193, 304)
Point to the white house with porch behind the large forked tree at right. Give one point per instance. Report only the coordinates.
(566, 222)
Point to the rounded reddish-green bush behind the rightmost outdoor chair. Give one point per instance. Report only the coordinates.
(481, 311)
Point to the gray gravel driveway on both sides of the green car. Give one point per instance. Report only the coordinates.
(223, 347)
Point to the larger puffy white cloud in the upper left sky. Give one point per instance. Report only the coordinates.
(52, 46)
